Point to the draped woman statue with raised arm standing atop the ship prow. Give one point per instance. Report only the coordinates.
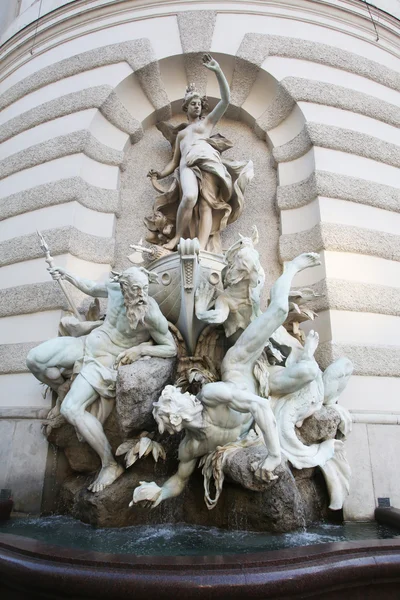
(207, 192)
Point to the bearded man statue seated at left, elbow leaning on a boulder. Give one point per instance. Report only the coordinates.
(133, 327)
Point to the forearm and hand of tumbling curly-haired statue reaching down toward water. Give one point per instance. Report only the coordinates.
(151, 492)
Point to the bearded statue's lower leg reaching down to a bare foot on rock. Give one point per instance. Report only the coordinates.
(73, 408)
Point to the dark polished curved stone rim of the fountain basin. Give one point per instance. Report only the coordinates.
(39, 567)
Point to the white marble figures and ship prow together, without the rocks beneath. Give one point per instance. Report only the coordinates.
(254, 390)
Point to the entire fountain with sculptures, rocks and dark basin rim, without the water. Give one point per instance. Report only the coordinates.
(176, 392)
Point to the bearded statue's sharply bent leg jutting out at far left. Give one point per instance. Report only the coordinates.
(46, 360)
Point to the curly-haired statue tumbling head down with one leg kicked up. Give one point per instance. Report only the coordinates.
(224, 411)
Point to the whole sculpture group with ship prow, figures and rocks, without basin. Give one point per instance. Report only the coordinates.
(185, 348)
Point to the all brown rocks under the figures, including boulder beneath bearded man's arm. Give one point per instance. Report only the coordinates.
(296, 499)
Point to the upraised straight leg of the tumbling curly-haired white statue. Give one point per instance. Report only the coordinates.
(251, 343)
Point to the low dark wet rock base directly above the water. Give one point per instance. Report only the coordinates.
(295, 500)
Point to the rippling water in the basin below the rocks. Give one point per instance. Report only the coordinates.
(184, 540)
